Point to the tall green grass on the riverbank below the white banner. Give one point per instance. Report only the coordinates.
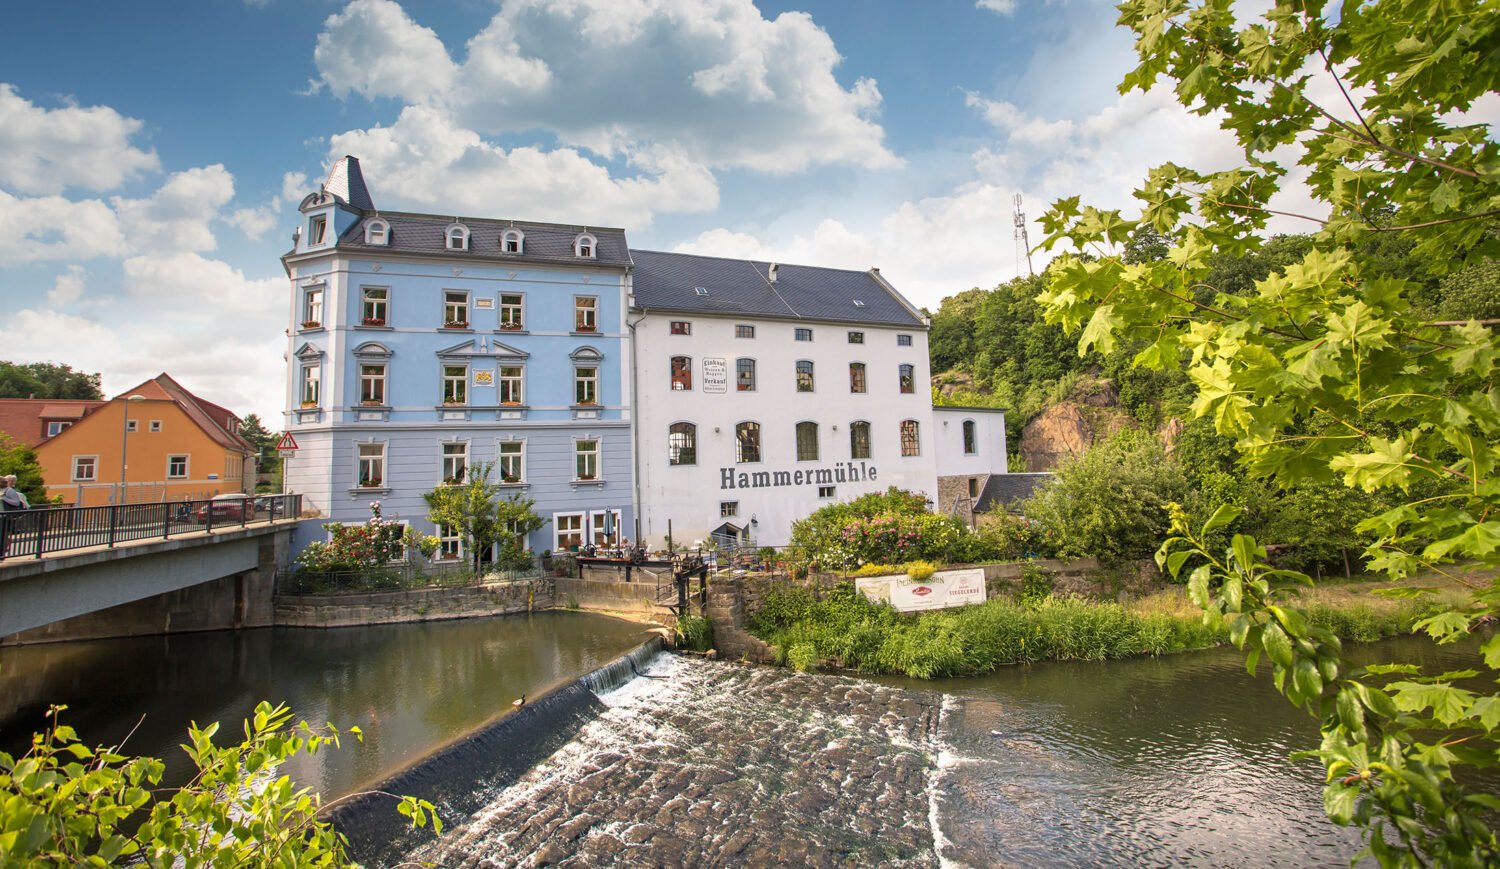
(844, 630)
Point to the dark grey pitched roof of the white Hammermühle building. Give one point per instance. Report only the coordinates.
(692, 284)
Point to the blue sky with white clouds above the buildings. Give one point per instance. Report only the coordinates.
(152, 155)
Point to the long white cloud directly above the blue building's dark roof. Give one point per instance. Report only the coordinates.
(430, 163)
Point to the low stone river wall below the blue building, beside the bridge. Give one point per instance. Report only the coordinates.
(413, 606)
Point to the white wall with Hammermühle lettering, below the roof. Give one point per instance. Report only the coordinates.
(718, 486)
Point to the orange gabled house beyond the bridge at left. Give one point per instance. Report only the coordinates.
(152, 444)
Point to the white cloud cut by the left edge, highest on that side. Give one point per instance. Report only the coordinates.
(46, 151)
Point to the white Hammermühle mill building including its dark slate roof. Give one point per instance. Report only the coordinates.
(766, 392)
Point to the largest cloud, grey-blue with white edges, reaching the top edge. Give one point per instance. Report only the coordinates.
(712, 80)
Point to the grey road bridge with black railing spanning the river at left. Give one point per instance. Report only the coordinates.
(73, 562)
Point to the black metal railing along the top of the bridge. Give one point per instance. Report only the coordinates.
(43, 531)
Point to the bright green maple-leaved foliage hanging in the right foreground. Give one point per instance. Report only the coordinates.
(1330, 370)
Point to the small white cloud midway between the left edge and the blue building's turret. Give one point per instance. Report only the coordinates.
(181, 214)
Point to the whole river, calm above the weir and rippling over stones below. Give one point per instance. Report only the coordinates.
(1180, 760)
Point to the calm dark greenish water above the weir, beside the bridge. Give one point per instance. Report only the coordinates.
(407, 687)
